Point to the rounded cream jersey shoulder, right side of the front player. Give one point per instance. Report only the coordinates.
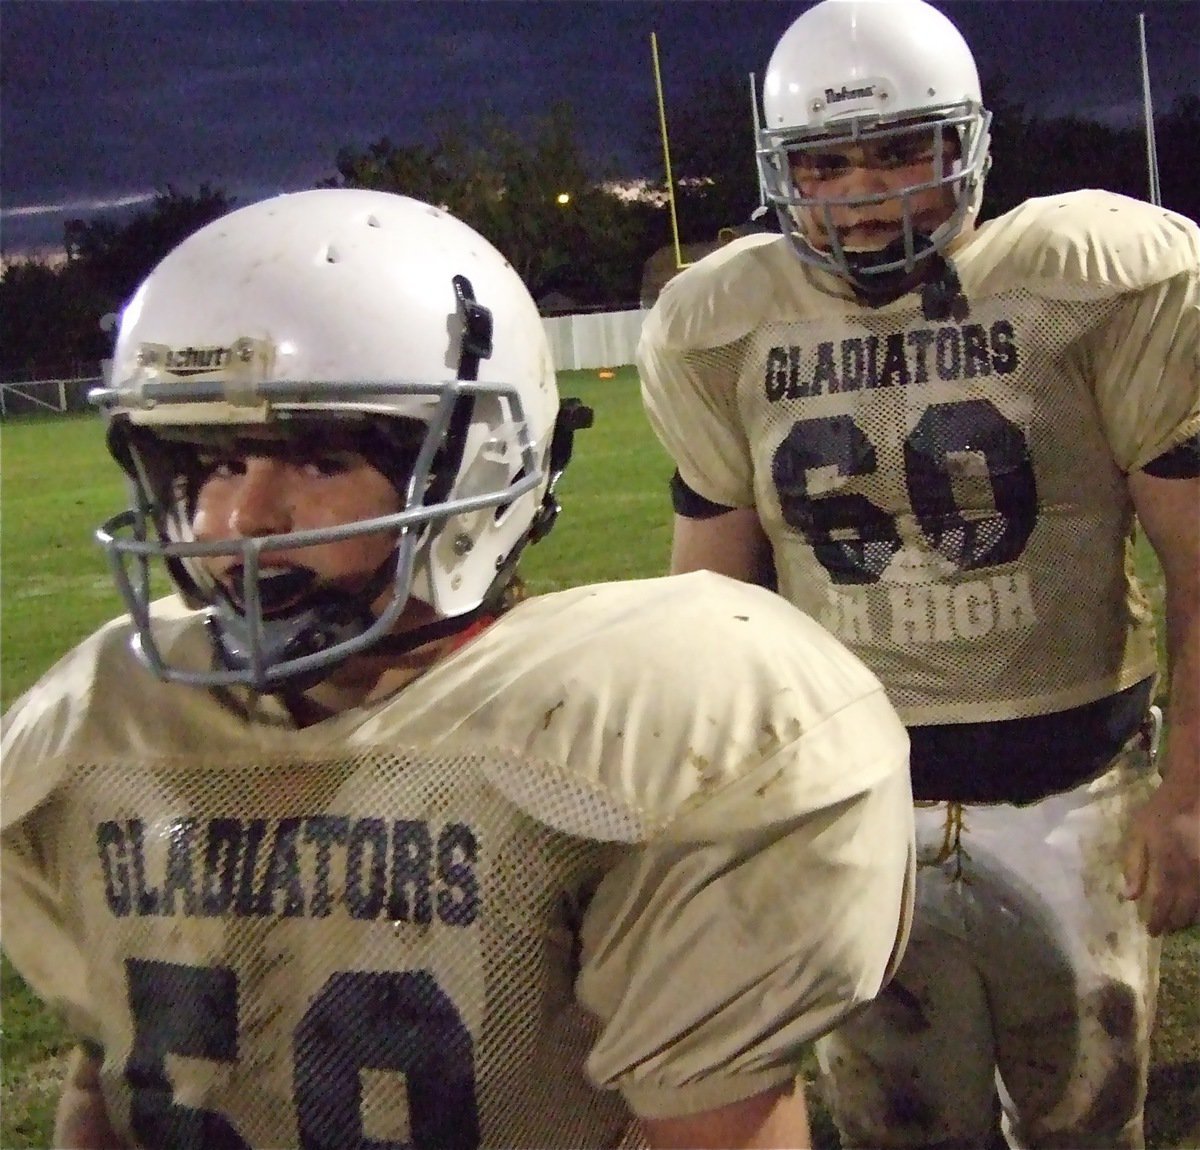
(631, 711)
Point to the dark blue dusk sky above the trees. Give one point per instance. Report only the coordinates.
(105, 103)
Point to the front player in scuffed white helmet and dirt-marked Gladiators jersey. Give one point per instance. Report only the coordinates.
(338, 847)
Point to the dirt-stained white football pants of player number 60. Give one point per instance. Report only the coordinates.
(1027, 974)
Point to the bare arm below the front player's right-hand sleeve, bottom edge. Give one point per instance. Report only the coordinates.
(773, 1119)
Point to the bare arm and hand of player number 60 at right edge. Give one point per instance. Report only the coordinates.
(1162, 862)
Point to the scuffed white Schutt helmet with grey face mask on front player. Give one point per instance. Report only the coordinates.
(320, 314)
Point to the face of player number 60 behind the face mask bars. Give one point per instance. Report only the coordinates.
(873, 169)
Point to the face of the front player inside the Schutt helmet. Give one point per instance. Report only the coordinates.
(274, 487)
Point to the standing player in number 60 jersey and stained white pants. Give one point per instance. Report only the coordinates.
(938, 436)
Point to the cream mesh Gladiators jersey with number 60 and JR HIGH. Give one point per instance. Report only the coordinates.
(949, 498)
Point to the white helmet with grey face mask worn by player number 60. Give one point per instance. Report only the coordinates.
(849, 71)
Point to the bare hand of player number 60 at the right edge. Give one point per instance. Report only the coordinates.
(1162, 855)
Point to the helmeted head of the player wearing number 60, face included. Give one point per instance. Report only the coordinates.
(892, 79)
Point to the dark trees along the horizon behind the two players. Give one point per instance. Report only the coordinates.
(559, 220)
